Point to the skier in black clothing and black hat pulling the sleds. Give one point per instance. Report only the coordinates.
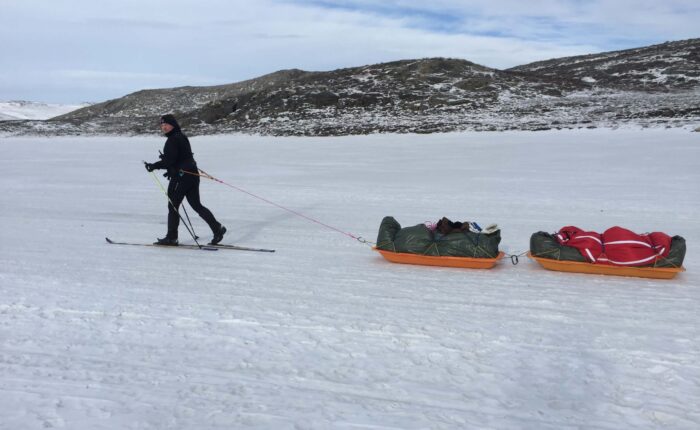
(177, 157)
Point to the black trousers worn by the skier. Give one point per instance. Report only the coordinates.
(179, 188)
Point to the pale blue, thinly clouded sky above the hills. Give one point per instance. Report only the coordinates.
(70, 51)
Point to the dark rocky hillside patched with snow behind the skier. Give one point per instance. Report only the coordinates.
(655, 85)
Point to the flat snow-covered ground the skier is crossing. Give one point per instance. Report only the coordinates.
(324, 333)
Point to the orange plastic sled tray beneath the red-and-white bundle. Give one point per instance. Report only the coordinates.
(601, 269)
